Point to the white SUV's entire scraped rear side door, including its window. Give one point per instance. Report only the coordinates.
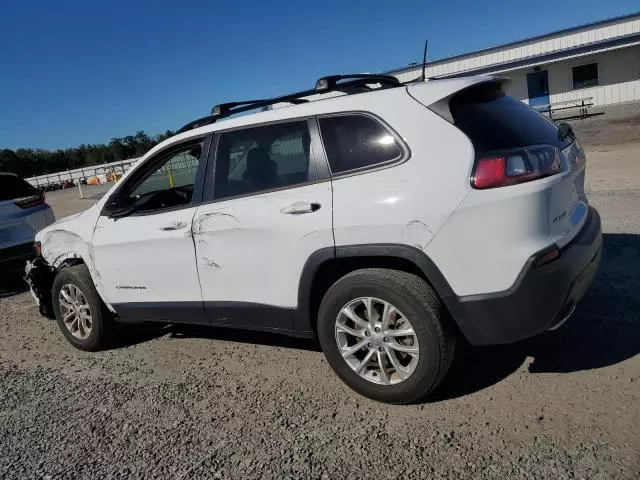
(269, 211)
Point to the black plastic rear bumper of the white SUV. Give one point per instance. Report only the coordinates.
(541, 298)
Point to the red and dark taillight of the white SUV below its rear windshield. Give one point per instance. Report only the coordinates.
(517, 166)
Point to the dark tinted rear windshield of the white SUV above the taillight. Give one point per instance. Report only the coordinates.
(495, 121)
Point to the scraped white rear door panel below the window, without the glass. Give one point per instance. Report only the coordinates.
(250, 253)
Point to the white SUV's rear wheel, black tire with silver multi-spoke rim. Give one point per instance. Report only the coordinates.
(415, 306)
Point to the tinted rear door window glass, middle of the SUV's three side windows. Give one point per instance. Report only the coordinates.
(262, 158)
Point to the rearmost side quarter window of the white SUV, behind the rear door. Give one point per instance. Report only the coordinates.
(356, 141)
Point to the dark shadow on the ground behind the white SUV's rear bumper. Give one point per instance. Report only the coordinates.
(604, 330)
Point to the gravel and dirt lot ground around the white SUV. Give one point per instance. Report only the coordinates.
(211, 403)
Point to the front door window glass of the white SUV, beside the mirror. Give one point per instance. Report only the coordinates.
(170, 183)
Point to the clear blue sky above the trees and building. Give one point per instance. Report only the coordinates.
(81, 71)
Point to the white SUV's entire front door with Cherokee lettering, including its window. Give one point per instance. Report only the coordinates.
(146, 260)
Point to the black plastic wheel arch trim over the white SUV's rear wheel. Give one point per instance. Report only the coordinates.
(324, 267)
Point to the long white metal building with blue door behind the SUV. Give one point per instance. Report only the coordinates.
(599, 62)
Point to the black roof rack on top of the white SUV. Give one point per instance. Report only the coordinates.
(351, 83)
